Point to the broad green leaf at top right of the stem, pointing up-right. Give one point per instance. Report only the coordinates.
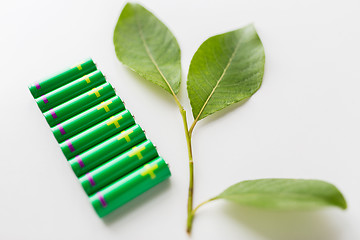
(226, 68)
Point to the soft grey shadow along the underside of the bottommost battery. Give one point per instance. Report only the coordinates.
(137, 204)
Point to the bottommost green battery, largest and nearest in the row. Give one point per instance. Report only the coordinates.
(130, 186)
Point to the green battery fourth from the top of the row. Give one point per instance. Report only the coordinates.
(88, 118)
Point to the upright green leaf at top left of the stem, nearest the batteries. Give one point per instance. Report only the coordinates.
(145, 45)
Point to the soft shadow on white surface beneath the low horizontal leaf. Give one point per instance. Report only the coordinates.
(278, 225)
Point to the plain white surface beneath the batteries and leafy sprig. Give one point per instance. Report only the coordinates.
(302, 123)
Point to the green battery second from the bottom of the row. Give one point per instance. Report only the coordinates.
(117, 167)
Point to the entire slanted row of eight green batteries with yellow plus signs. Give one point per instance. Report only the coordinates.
(106, 149)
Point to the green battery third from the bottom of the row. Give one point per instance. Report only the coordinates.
(106, 150)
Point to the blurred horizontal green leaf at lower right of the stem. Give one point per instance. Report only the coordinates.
(284, 194)
